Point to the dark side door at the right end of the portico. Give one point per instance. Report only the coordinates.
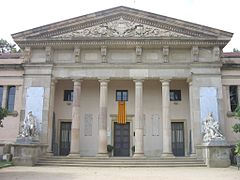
(178, 139)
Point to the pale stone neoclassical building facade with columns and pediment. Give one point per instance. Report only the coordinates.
(72, 73)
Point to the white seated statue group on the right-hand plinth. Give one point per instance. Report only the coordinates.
(211, 129)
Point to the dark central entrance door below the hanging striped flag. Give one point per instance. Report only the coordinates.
(121, 139)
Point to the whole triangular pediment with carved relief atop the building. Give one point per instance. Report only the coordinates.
(121, 23)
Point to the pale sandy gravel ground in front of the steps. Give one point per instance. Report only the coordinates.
(89, 173)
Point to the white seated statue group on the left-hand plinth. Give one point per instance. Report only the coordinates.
(28, 128)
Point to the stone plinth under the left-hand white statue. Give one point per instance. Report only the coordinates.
(28, 154)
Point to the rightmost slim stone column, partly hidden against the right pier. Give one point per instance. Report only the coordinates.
(193, 150)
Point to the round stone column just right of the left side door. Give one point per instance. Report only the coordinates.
(75, 131)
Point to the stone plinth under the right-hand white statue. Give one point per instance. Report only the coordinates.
(216, 153)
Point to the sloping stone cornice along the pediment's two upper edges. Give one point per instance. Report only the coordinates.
(134, 15)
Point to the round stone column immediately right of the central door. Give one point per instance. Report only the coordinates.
(139, 141)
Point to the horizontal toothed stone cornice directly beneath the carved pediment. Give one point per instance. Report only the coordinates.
(116, 42)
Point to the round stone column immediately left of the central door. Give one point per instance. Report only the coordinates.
(102, 141)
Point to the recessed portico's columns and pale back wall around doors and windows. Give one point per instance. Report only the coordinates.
(146, 101)
